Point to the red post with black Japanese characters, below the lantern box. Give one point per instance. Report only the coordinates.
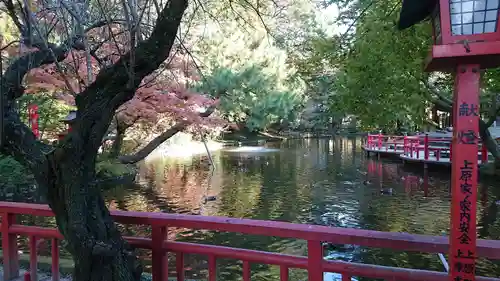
(464, 173)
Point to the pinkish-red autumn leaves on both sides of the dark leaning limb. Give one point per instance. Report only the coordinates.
(164, 94)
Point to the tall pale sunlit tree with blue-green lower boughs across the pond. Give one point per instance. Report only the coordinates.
(249, 58)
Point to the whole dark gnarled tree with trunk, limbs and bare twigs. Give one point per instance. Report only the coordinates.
(65, 172)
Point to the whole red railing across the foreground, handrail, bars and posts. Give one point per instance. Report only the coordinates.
(314, 262)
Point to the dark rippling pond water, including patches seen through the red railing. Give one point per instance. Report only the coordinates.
(326, 182)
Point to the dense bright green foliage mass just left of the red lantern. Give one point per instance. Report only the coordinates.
(381, 80)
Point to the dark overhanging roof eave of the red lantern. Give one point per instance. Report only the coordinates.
(415, 11)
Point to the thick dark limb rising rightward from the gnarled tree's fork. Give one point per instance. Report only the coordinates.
(113, 86)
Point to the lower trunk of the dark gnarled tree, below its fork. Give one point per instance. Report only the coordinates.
(98, 250)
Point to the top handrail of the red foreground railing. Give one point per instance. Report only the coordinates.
(361, 237)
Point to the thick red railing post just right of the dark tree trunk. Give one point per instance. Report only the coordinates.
(159, 256)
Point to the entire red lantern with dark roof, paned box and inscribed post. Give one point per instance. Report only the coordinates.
(466, 40)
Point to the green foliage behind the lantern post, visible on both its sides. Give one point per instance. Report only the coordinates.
(379, 74)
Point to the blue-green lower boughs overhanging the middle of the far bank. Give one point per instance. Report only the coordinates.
(251, 97)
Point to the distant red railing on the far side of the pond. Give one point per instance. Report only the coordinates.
(415, 145)
